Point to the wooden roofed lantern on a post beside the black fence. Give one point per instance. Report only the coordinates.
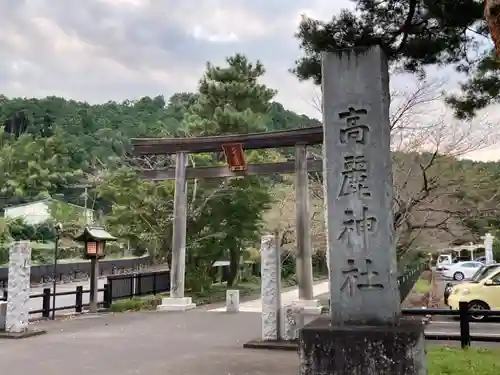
(94, 239)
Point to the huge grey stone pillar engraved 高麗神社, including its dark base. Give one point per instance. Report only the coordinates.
(365, 333)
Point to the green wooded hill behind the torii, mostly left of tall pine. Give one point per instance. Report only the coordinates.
(51, 143)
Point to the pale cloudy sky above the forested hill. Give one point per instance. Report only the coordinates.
(99, 50)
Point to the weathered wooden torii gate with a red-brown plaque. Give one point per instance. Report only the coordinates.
(234, 146)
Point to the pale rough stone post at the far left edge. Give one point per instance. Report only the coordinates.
(17, 317)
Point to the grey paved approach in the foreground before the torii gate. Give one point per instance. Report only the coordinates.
(196, 342)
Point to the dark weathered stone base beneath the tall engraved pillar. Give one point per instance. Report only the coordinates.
(362, 349)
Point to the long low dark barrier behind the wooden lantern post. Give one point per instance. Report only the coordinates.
(68, 272)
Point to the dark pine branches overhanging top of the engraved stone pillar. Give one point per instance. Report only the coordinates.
(414, 34)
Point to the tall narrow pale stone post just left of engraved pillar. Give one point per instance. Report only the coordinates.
(270, 287)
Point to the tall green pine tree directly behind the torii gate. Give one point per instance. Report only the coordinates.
(232, 101)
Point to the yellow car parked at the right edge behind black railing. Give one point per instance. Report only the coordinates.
(480, 295)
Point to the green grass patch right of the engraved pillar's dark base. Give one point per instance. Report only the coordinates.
(473, 361)
